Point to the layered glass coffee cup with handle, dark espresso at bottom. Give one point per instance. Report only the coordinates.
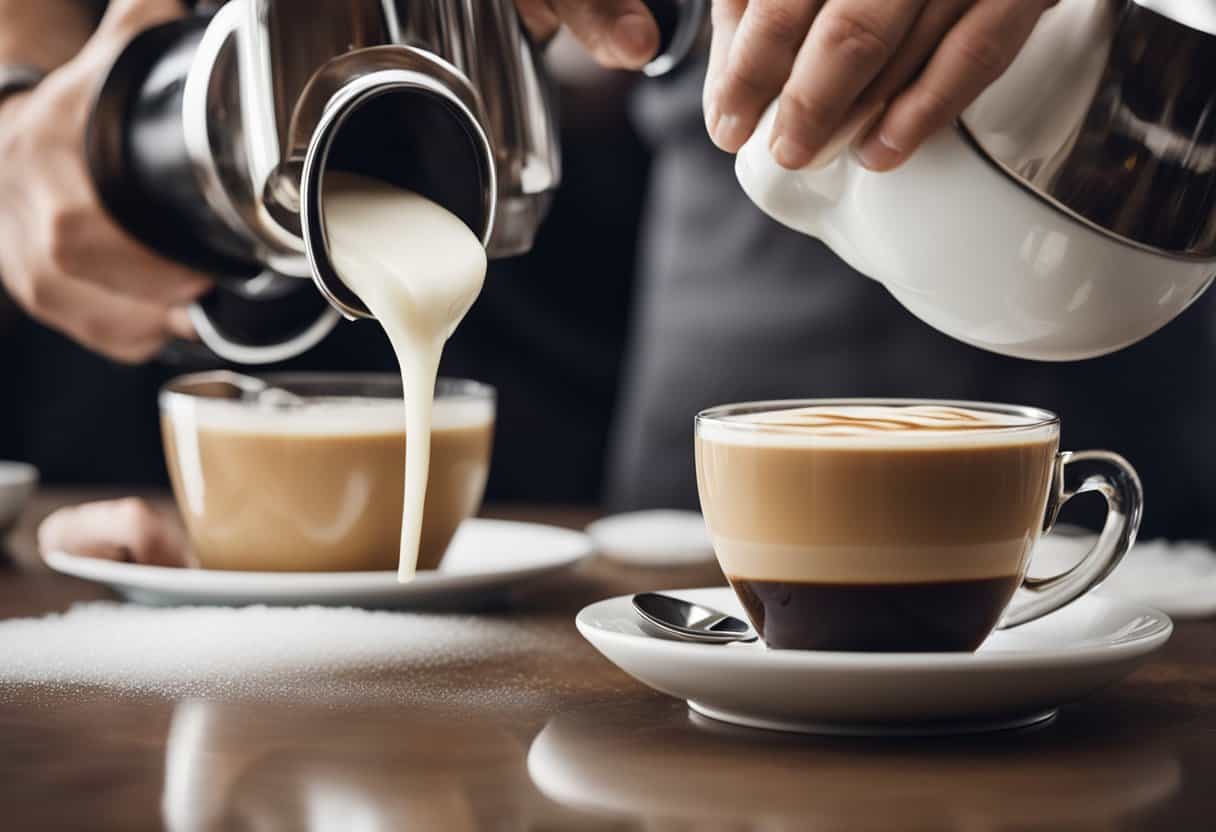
(904, 526)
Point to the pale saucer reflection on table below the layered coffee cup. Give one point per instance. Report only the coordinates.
(685, 771)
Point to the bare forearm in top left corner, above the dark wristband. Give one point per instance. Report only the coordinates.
(46, 33)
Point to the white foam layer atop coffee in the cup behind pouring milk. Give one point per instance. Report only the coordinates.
(325, 418)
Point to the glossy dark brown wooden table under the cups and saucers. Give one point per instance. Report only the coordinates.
(615, 755)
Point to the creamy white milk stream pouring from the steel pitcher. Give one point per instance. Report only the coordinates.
(419, 269)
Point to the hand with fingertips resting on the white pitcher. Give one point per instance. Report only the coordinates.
(903, 69)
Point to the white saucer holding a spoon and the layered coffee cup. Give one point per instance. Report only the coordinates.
(1017, 678)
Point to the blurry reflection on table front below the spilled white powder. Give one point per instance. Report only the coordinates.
(267, 768)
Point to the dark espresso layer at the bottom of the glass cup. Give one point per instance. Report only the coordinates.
(927, 617)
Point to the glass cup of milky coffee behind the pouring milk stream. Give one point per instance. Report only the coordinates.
(305, 473)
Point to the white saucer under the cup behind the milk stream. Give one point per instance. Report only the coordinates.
(487, 559)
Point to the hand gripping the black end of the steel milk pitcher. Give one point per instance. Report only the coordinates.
(61, 256)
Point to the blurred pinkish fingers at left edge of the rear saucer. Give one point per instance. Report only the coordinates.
(128, 530)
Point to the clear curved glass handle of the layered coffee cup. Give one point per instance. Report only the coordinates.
(1078, 473)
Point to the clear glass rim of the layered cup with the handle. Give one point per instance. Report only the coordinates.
(720, 415)
